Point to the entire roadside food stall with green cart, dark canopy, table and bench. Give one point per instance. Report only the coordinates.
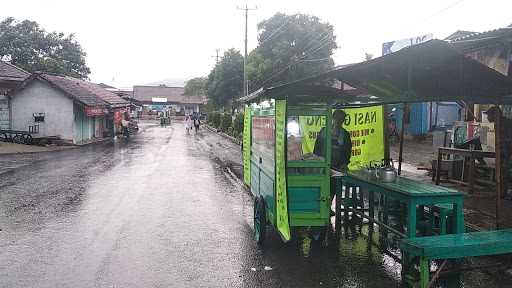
(293, 185)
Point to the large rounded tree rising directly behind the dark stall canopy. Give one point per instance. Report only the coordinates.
(290, 47)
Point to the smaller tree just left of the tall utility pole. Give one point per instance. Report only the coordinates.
(225, 81)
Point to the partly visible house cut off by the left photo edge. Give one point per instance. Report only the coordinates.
(10, 77)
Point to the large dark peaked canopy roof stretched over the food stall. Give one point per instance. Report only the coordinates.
(432, 71)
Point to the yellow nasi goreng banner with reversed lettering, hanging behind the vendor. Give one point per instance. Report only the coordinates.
(366, 129)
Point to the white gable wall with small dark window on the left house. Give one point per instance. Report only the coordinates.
(39, 97)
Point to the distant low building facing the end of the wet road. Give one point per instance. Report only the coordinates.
(163, 97)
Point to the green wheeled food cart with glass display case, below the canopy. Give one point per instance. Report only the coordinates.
(291, 188)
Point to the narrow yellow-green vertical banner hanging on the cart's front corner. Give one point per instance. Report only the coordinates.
(281, 188)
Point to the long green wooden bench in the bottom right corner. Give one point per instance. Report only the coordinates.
(454, 246)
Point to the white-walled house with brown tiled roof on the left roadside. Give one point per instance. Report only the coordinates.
(71, 109)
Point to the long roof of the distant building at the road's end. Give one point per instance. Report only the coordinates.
(172, 94)
